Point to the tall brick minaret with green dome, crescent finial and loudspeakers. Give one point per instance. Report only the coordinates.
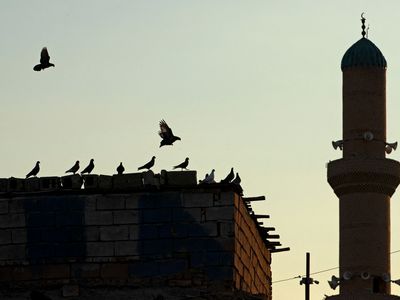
(364, 180)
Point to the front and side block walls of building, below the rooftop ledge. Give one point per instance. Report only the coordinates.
(178, 237)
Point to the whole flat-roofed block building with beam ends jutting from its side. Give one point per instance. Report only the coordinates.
(133, 236)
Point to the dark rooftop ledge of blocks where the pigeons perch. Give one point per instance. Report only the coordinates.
(88, 184)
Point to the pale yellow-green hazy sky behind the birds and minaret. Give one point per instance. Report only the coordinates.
(254, 85)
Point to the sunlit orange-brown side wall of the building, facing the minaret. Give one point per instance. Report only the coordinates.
(252, 259)
